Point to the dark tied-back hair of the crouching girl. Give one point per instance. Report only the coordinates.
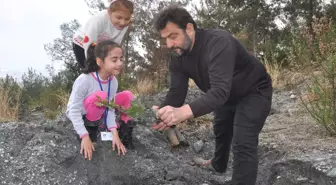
(99, 50)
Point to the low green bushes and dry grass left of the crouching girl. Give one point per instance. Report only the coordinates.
(34, 91)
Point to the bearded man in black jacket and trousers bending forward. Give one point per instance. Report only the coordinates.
(237, 88)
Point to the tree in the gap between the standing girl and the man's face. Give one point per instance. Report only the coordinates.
(155, 63)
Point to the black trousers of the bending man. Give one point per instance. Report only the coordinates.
(240, 124)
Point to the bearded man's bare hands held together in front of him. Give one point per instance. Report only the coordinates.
(171, 116)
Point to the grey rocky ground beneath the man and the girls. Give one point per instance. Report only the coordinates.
(293, 151)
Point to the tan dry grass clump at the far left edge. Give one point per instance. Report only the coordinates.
(9, 105)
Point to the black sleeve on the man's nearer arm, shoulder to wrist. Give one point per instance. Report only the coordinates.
(222, 56)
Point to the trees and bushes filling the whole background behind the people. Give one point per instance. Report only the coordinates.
(298, 43)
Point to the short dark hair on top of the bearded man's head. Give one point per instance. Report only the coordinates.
(174, 14)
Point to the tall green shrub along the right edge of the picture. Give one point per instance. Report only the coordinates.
(323, 107)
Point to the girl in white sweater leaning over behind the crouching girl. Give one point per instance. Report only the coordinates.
(111, 24)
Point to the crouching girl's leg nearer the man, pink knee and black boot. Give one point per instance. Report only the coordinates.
(126, 123)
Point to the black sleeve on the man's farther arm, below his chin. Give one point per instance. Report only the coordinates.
(178, 86)
